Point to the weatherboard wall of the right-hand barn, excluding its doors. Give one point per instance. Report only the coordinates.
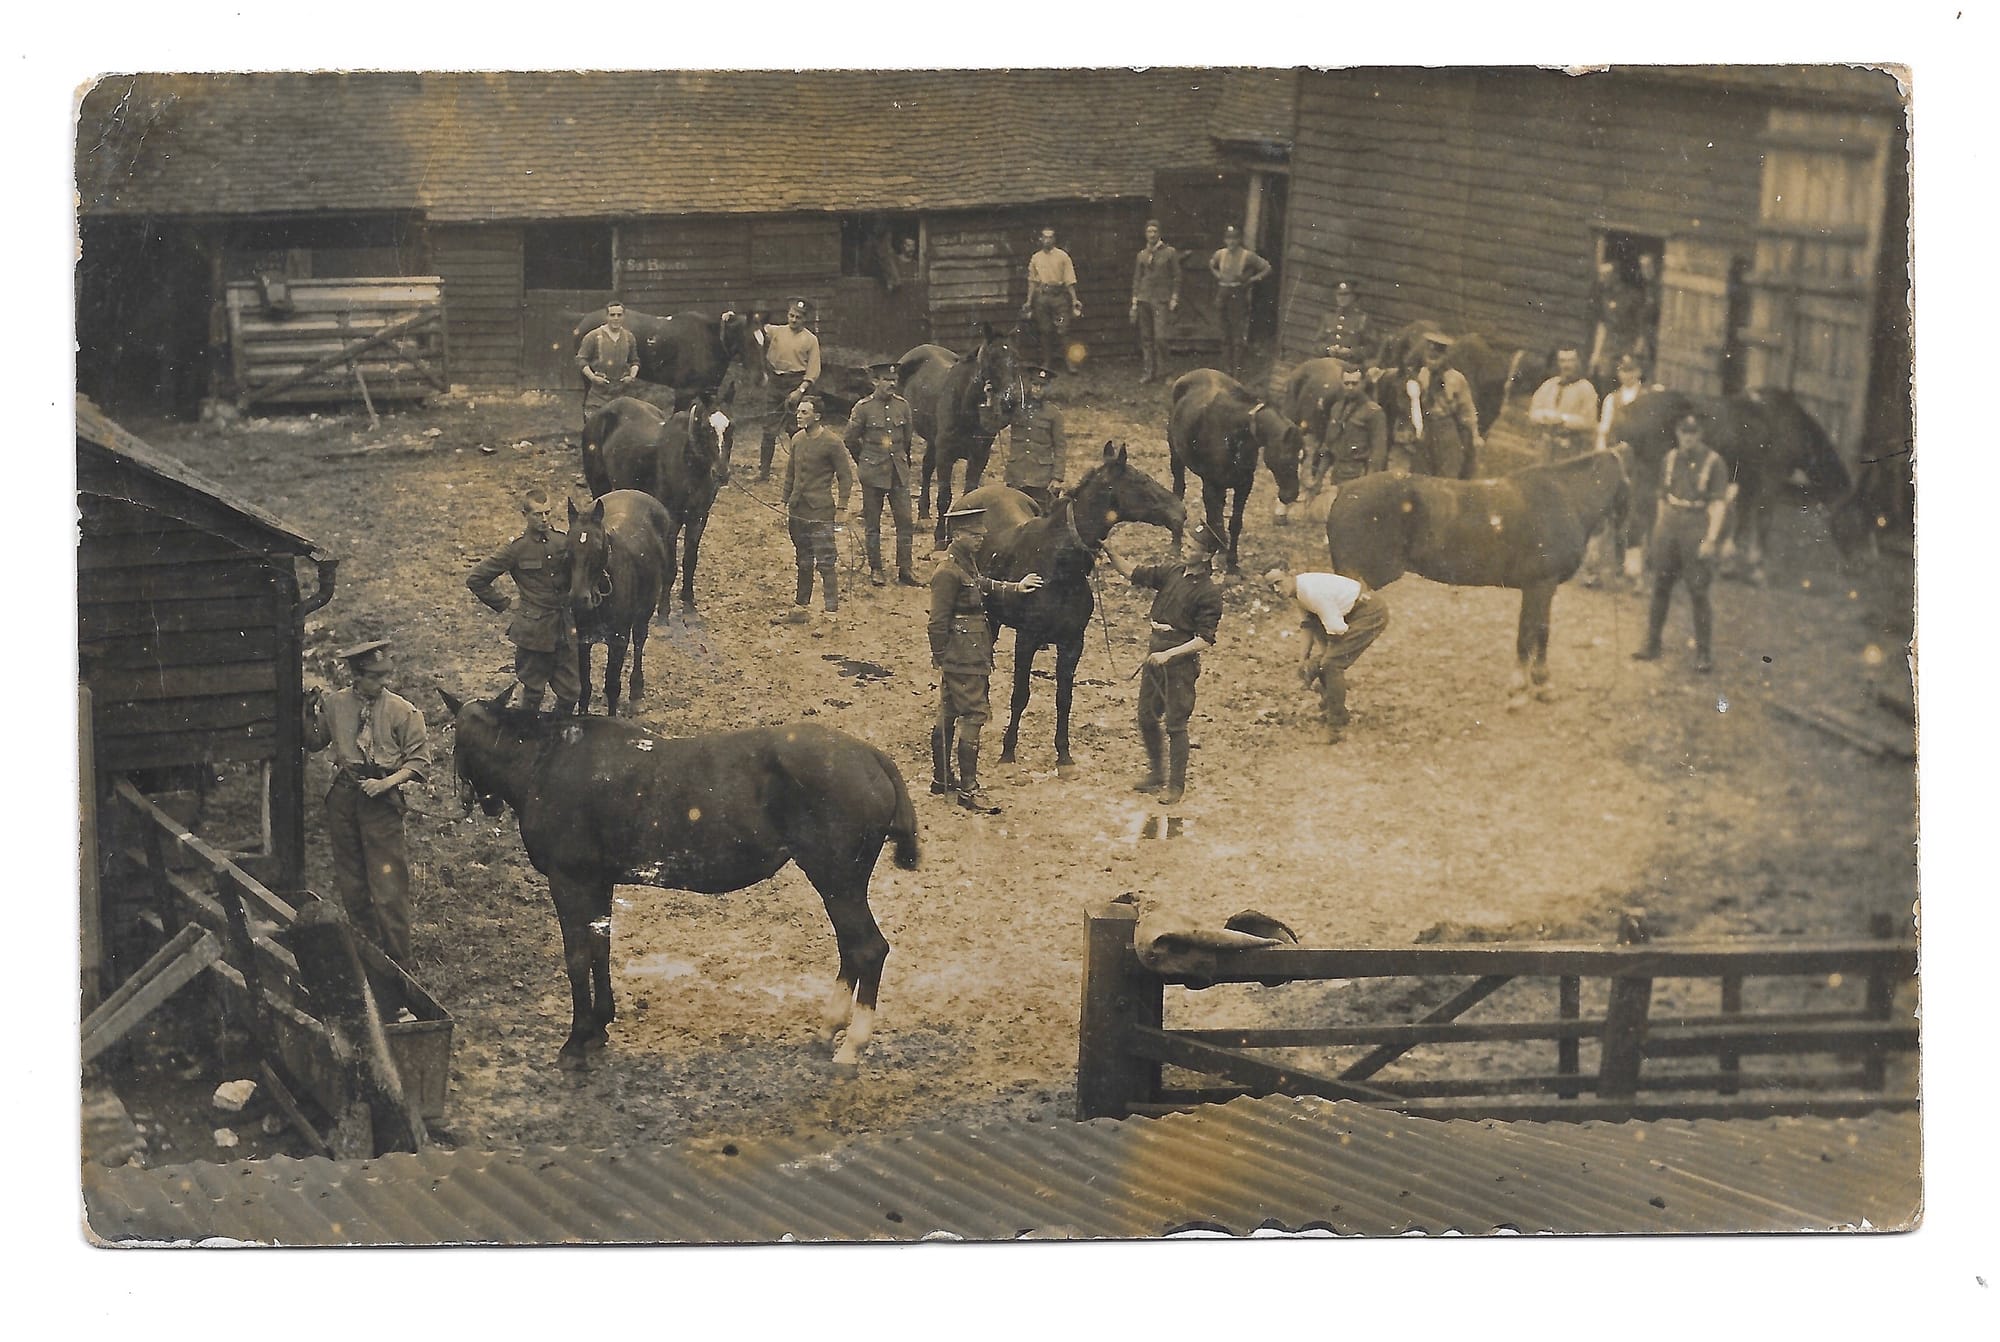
(1473, 199)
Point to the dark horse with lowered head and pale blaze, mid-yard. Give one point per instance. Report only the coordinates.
(1215, 429)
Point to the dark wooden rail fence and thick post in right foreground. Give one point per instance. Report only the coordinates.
(1125, 1045)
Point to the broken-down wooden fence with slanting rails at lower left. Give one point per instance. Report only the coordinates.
(331, 1017)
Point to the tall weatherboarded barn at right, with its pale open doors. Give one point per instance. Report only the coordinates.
(1767, 207)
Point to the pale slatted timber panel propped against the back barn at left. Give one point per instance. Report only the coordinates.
(371, 339)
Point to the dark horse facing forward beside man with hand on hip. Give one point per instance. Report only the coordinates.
(621, 561)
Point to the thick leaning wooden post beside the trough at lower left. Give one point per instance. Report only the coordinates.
(331, 971)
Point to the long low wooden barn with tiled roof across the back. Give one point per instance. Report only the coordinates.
(537, 197)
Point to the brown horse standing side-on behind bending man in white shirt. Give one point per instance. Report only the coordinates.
(1527, 531)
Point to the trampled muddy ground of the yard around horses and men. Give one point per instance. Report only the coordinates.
(1441, 815)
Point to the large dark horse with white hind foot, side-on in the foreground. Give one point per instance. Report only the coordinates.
(605, 803)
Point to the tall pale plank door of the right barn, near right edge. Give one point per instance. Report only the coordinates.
(1817, 249)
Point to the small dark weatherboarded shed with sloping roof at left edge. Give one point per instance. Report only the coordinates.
(189, 635)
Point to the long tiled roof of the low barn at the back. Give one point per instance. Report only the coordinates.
(491, 147)
